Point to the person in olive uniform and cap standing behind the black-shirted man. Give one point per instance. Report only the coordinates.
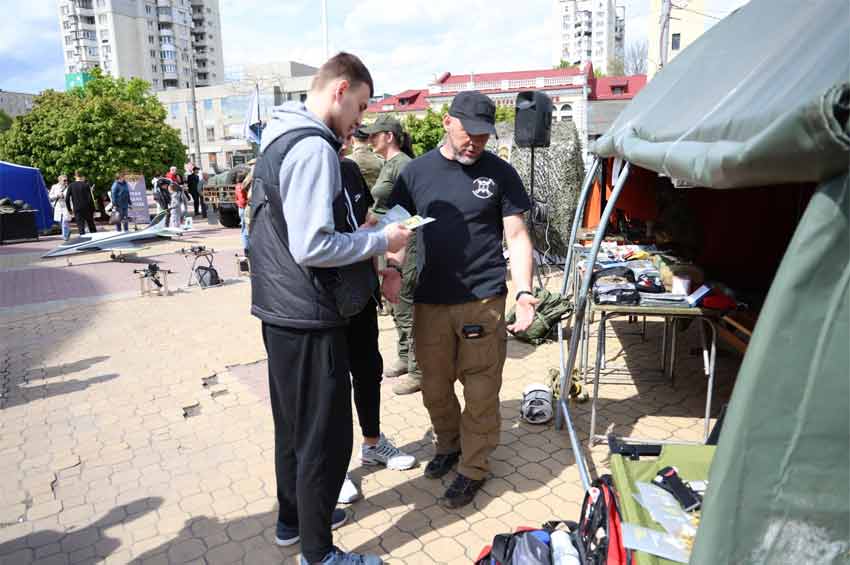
(393, 144)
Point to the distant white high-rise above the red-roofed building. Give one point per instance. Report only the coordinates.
(588, 31)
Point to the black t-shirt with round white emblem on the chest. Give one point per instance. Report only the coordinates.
(459, 256)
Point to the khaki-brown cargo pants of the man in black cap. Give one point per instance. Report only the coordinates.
(445, 355)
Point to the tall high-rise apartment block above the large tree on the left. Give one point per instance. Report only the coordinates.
(154, 40)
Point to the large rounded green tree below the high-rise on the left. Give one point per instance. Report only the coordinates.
(106, 126)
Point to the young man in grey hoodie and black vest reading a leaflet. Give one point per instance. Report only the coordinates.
(301, 231)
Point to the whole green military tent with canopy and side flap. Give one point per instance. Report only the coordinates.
(762, 100)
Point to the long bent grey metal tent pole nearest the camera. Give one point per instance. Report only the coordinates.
(581, 303)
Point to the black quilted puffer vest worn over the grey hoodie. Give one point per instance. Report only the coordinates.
(283, 293)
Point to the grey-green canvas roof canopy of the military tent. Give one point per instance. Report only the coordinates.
(760, 99)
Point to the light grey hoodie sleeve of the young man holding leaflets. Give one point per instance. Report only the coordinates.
(309, 182)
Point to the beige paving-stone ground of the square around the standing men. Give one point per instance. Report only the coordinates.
(138, 430)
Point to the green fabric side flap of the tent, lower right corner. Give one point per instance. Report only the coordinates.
(778, 486)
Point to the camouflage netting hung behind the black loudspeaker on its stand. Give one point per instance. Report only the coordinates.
(559, 171)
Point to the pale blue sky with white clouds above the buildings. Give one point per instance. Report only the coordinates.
(404, 44)
